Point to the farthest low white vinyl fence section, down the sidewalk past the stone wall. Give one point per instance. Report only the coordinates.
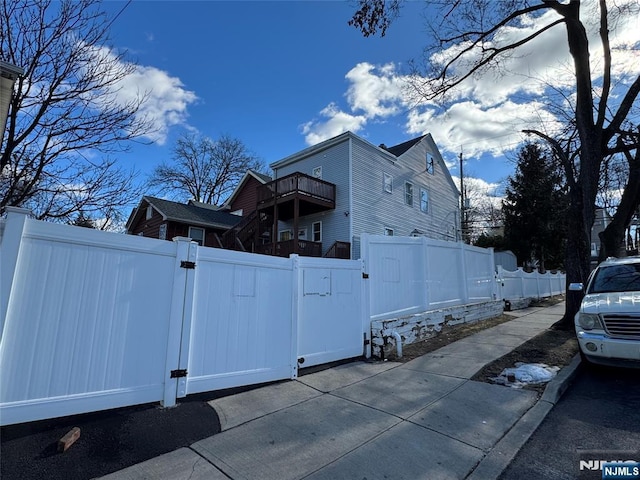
(521, 284)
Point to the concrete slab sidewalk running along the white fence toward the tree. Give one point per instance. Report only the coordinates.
(423, 419)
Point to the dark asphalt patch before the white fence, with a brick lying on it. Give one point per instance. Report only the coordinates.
(109, 440)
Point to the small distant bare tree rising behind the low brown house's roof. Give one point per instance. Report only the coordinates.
(203, 169)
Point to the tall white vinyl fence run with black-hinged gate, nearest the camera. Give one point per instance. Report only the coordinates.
(93, 320)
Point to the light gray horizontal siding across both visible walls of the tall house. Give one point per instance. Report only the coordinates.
(357, 168)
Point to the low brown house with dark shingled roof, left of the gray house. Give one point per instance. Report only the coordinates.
(164, 219)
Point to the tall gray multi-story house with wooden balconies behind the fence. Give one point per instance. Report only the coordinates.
(401, 190)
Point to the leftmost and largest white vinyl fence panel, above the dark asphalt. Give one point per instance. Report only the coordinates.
(87, 322)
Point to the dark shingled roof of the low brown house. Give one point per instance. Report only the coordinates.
(185, 213)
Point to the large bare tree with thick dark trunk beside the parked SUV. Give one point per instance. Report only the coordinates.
(475, 31)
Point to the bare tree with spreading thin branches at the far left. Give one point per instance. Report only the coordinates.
(65, 117)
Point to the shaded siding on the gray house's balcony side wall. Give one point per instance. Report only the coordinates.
(335, 169)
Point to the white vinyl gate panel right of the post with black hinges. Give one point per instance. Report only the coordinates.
(243, 326)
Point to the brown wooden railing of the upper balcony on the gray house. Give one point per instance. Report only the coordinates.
(297, 183)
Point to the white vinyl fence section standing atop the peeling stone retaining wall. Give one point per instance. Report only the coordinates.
(414, 274)
